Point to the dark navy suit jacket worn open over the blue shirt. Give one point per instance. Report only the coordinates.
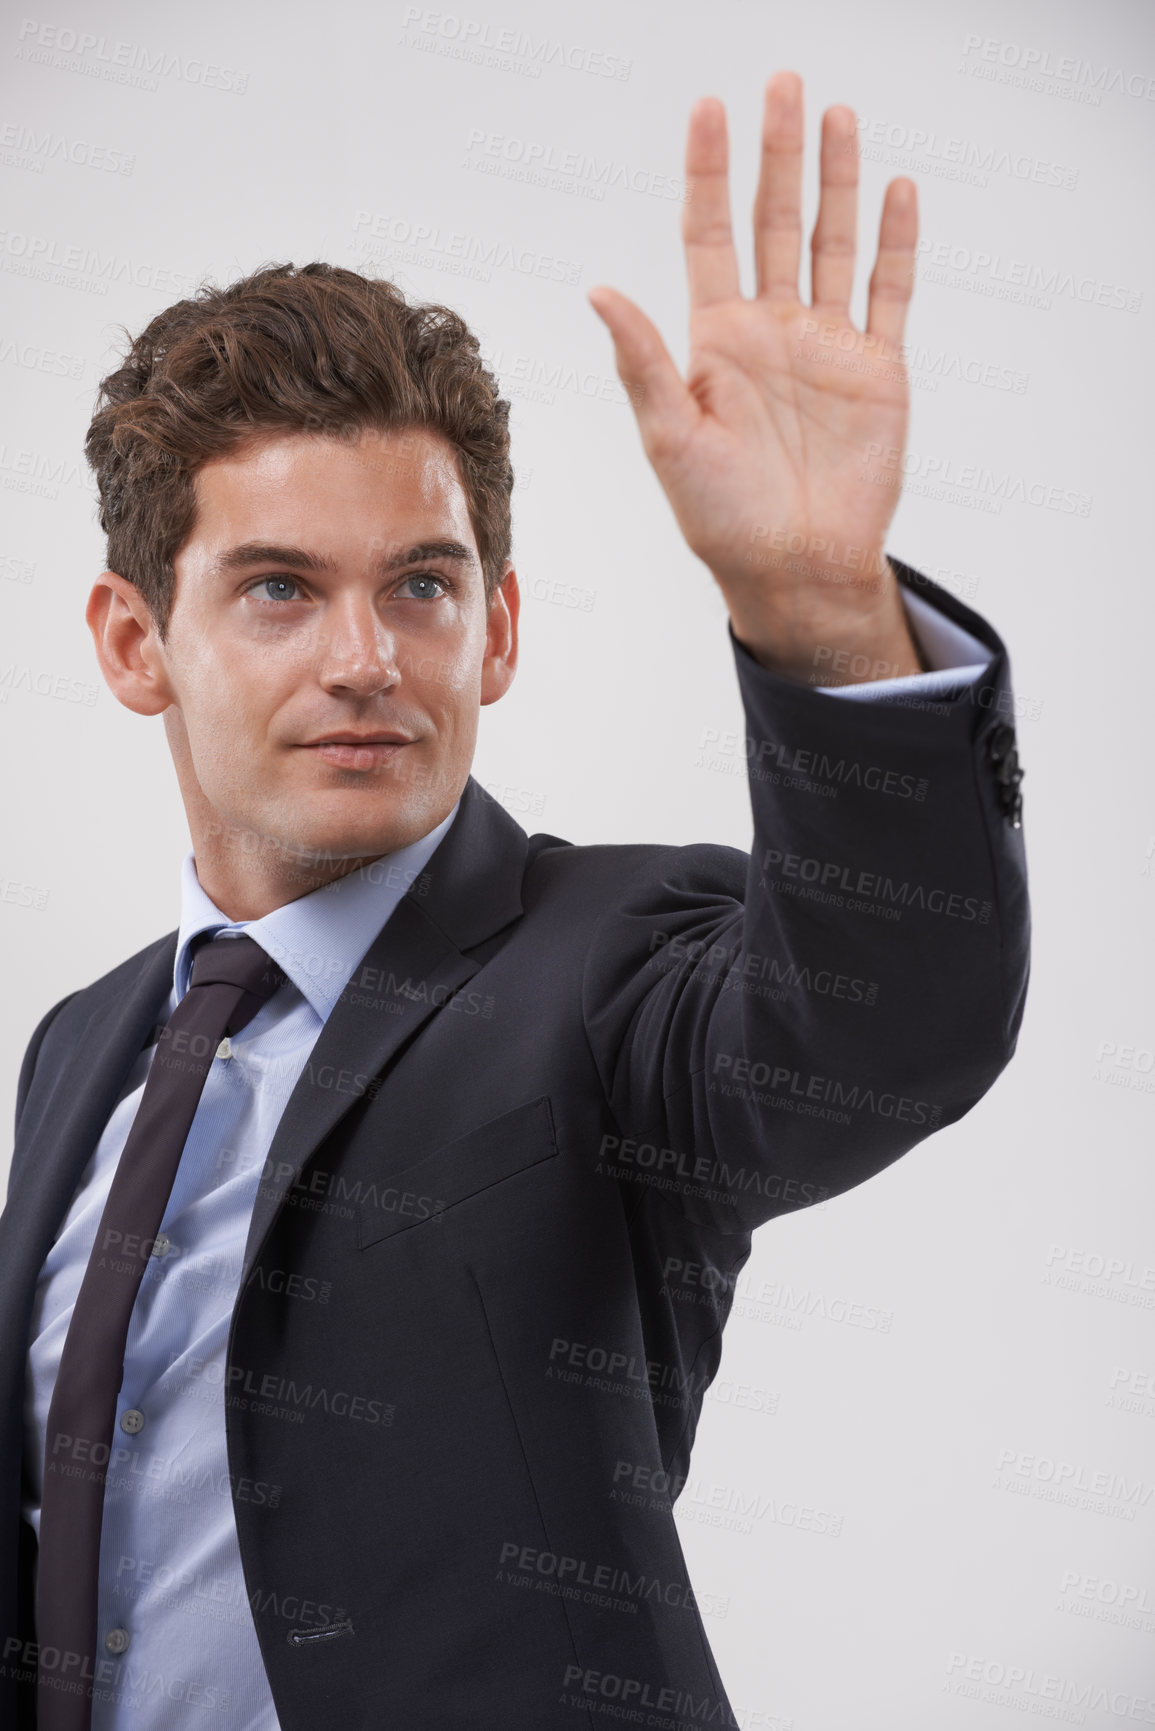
(562, 1079)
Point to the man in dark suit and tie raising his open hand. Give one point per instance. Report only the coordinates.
(420, 1349)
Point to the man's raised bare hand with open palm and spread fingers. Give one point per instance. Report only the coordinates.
(770, 449)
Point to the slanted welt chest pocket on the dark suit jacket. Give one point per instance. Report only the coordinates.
(458, 1171)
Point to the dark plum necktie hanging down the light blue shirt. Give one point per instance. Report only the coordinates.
(231, 981)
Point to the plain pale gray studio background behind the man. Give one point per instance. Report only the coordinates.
(924, 1490)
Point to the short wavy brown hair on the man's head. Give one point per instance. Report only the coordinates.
(319, 349)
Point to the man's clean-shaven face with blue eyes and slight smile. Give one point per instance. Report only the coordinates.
(306, 607)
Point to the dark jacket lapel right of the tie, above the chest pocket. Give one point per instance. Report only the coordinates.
(470, 889)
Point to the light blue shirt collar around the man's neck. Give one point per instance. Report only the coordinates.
(319, 937)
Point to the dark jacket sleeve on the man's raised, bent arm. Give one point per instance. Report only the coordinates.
(773, 1029)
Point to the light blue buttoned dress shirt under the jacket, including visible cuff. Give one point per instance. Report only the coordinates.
(177, 1637)
